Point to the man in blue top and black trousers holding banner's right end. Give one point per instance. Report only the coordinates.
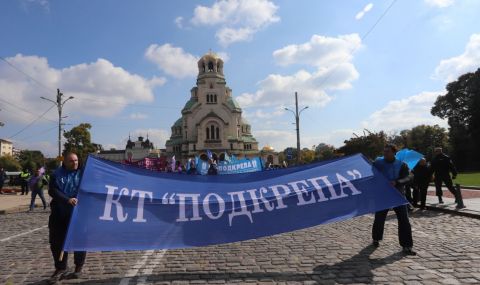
(398, 174)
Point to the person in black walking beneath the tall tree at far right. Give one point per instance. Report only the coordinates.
(442, 166)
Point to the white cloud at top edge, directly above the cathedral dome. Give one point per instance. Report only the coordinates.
(237, 20)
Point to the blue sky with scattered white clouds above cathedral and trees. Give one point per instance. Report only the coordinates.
(130, 66)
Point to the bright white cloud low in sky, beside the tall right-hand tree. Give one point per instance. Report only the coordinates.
(405, 113)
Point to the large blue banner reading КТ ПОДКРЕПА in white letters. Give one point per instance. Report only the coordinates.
(126, 208)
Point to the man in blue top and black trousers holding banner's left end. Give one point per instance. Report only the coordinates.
(63, 188)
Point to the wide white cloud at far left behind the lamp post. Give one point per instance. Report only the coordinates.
(94, 85)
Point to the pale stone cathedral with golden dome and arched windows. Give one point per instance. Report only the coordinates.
(211, 119)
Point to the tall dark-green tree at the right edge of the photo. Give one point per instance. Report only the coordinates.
(461, 106)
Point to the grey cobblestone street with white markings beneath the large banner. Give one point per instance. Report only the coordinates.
(448, 252)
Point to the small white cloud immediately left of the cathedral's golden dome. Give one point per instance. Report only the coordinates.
(174, 61)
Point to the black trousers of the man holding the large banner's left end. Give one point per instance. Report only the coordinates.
(58, 226)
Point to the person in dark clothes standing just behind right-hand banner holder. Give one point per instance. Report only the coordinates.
(422, 176)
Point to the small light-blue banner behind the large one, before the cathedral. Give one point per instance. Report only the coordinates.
(234, 167)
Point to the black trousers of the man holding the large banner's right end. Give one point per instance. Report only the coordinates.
(404, 227)
